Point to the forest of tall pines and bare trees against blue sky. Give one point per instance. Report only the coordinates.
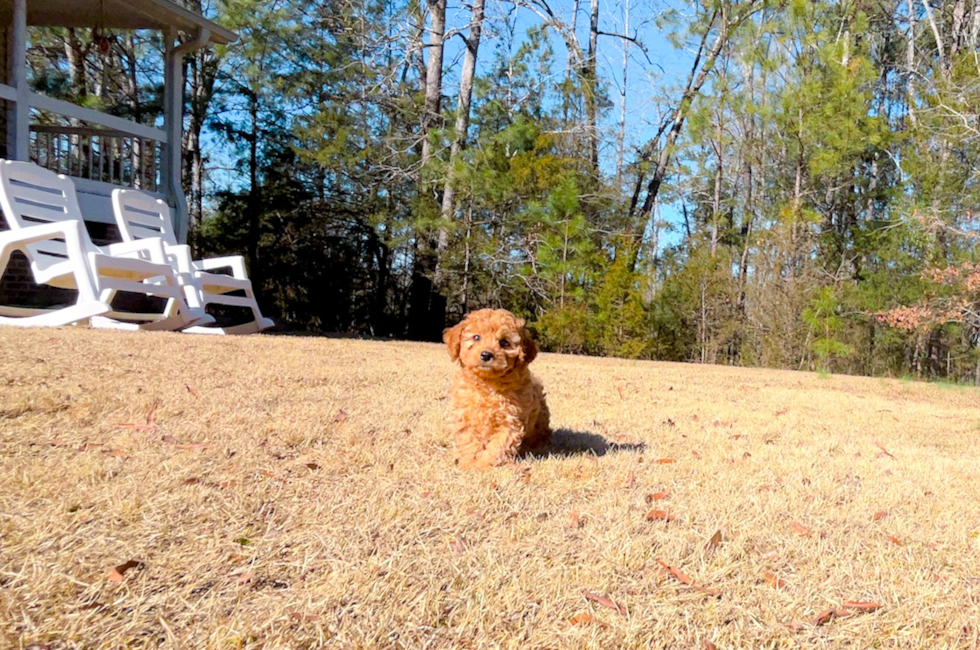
(806, 200)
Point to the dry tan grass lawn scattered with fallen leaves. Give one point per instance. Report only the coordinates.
(324, 510)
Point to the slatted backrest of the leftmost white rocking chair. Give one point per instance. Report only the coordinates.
(31, 195)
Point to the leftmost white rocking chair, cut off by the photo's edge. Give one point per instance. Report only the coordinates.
(67, 258)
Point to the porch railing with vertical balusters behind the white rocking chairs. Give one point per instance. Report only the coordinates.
(106, 155)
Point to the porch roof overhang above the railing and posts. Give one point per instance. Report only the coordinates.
(121, 14)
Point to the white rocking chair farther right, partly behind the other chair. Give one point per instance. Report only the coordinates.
(141, 216)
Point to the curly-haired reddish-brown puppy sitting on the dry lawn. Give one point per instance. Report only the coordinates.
(499, 410)
